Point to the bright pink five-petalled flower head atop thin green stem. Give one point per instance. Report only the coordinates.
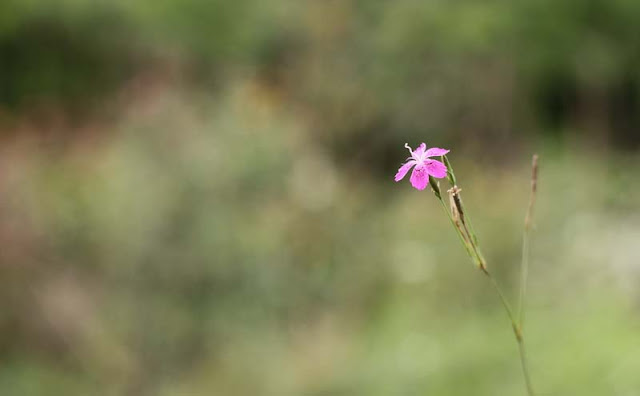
(424, 166)
